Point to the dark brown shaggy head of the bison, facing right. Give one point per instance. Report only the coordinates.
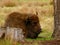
(33, 26)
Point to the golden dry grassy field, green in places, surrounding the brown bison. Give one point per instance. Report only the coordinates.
(45, 14)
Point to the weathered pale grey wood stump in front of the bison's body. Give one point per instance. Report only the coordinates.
(14, 34)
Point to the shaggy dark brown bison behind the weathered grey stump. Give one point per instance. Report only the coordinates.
(28, 22)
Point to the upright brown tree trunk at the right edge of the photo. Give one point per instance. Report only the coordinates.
(56, 33)
